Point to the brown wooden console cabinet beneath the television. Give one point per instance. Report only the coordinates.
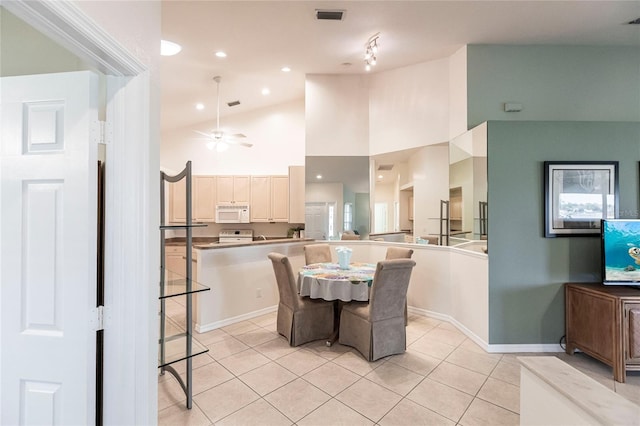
(604, 322)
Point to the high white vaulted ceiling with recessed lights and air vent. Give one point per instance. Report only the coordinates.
(260, 37)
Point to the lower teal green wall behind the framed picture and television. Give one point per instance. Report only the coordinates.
(526, 270)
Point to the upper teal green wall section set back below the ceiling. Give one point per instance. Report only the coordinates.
(553, 83)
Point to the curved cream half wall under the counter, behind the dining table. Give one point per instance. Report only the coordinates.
(447, 283)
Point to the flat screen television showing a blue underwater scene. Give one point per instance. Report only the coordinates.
(620, 251)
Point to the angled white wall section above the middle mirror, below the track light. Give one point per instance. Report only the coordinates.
(409, 107)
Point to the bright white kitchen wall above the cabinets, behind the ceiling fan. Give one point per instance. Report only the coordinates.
(277, 134)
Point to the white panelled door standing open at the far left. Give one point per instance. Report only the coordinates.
(48, 169)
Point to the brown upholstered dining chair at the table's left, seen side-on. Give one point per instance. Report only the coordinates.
(300, 319)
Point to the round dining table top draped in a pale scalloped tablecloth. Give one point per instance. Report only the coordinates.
(329, 282)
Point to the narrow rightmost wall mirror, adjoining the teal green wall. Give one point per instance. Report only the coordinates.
(468, 208)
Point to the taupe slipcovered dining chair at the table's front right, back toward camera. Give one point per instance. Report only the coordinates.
(376, 329)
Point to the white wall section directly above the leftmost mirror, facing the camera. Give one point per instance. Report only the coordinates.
(337, 115)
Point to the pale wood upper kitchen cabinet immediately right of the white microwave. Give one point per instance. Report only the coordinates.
(269, 198)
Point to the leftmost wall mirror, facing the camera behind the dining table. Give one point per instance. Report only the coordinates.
(337, 196)
